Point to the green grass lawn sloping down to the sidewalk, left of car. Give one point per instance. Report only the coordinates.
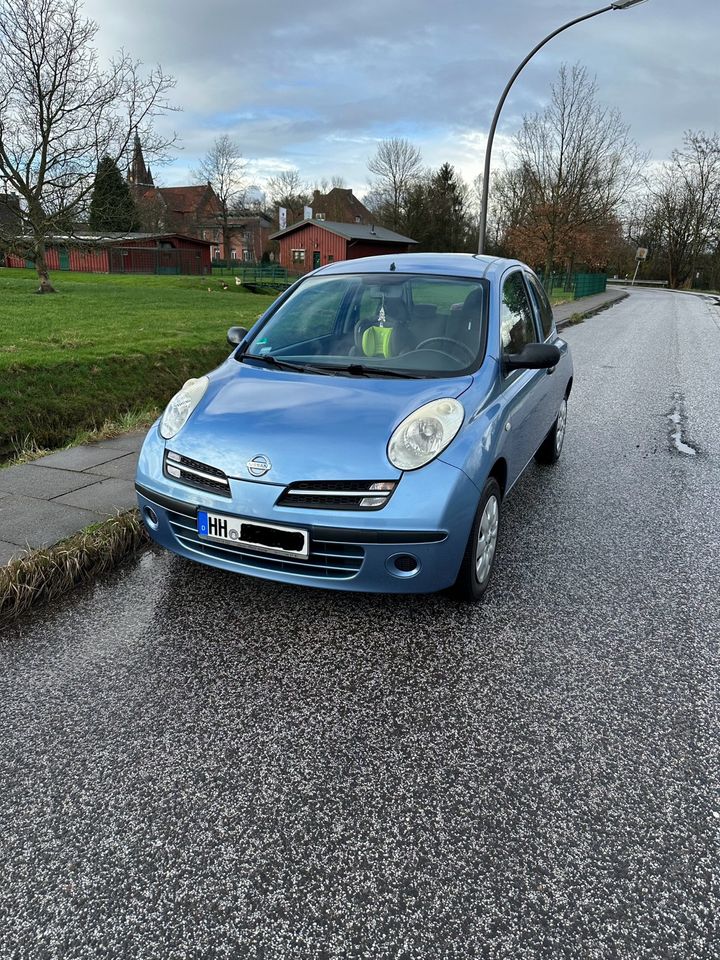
(104, 345)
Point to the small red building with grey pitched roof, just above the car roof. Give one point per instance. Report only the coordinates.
(310, 244)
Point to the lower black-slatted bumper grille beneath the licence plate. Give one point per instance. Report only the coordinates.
(328, 560)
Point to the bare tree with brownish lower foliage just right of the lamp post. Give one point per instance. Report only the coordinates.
(576, 164)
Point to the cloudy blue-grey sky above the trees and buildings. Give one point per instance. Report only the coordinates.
(316, 87)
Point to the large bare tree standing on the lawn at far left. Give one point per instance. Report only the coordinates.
(61, 113)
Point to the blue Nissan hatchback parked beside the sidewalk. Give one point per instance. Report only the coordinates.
(364, 434)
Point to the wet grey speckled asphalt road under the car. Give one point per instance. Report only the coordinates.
(200, 765)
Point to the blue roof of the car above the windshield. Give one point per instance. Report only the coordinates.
(471, 265)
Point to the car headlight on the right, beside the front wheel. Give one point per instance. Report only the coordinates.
(425, 433)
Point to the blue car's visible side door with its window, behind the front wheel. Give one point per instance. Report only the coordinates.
(524, 391)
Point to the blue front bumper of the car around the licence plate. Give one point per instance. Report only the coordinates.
(428, 518)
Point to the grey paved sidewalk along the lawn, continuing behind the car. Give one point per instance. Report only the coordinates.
(56, 496)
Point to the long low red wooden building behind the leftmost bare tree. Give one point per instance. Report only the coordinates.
(125, 253)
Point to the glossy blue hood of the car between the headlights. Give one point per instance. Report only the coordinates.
(309, 426)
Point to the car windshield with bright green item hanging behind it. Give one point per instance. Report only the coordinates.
(377, 324)
